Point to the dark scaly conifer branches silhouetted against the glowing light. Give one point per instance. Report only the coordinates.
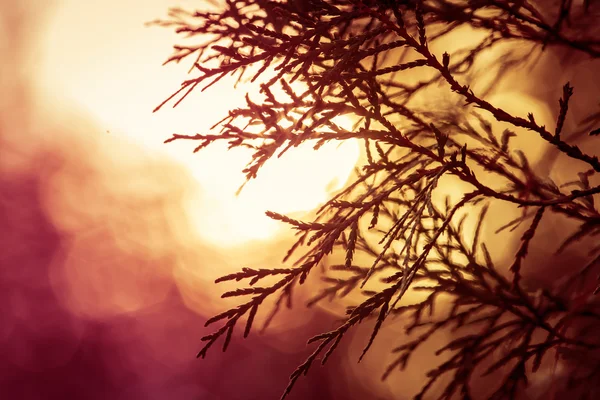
(425, 119)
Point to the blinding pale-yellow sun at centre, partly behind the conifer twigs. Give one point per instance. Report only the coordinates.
(298, 182)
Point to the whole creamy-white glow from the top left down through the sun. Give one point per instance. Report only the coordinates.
(119, 79)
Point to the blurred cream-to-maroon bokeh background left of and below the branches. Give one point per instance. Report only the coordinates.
(111, 240)
